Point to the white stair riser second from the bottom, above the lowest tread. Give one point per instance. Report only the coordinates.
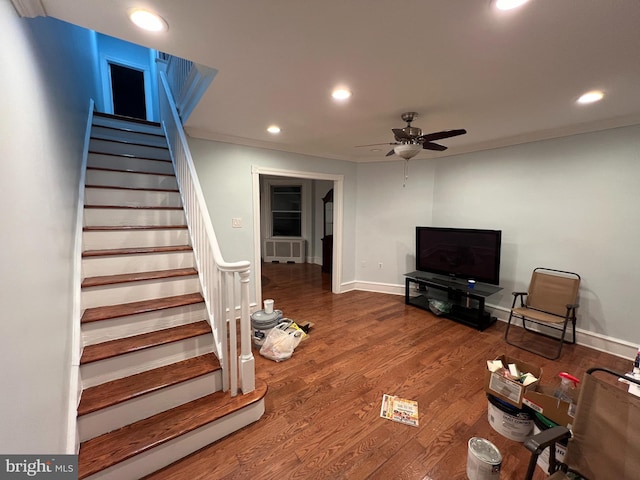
(108, 419)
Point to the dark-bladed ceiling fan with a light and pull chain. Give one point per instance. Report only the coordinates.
(410, 140)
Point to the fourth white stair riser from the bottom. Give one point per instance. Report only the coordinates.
(130, 325)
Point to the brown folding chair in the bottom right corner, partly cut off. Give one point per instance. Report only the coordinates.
(605, 438)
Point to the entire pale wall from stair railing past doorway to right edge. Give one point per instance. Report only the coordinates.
(568, 203)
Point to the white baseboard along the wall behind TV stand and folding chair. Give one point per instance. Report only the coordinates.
(603, 343)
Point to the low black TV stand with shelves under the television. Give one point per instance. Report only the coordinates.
(466, 304)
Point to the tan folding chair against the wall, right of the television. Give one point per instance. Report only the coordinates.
(551, 302)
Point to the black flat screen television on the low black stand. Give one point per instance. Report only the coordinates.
(464, 253)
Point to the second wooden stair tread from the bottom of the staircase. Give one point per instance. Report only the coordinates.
(123, 389)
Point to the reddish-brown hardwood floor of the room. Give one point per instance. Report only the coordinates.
(322, 407)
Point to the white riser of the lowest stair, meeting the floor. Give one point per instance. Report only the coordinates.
(167, 453)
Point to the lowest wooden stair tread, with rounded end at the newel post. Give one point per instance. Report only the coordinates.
(114, 447)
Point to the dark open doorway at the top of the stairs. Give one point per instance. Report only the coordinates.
(127, 90)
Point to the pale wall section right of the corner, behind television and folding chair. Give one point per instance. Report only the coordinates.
(570, 203)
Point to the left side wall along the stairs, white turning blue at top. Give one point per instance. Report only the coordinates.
(46, 83)
